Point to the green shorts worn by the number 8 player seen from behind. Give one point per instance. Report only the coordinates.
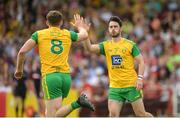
(56, 85)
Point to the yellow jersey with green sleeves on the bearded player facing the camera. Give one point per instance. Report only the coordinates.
(120, 62)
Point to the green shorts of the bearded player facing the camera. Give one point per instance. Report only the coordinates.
(129, 94)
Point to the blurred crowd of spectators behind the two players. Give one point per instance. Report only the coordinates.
(153, 24)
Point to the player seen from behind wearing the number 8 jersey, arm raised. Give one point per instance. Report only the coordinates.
(54, 44)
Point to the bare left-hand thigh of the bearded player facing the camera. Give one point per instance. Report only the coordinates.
(114, 108)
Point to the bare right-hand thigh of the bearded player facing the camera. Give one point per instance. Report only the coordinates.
(138, 107)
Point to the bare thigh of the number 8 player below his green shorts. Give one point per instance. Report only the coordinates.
(52, 106)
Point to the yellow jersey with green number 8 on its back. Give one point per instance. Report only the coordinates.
(54, 45)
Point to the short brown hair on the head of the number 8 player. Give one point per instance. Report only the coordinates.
(54, 17)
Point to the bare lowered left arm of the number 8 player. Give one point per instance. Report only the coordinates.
(21, 57)
